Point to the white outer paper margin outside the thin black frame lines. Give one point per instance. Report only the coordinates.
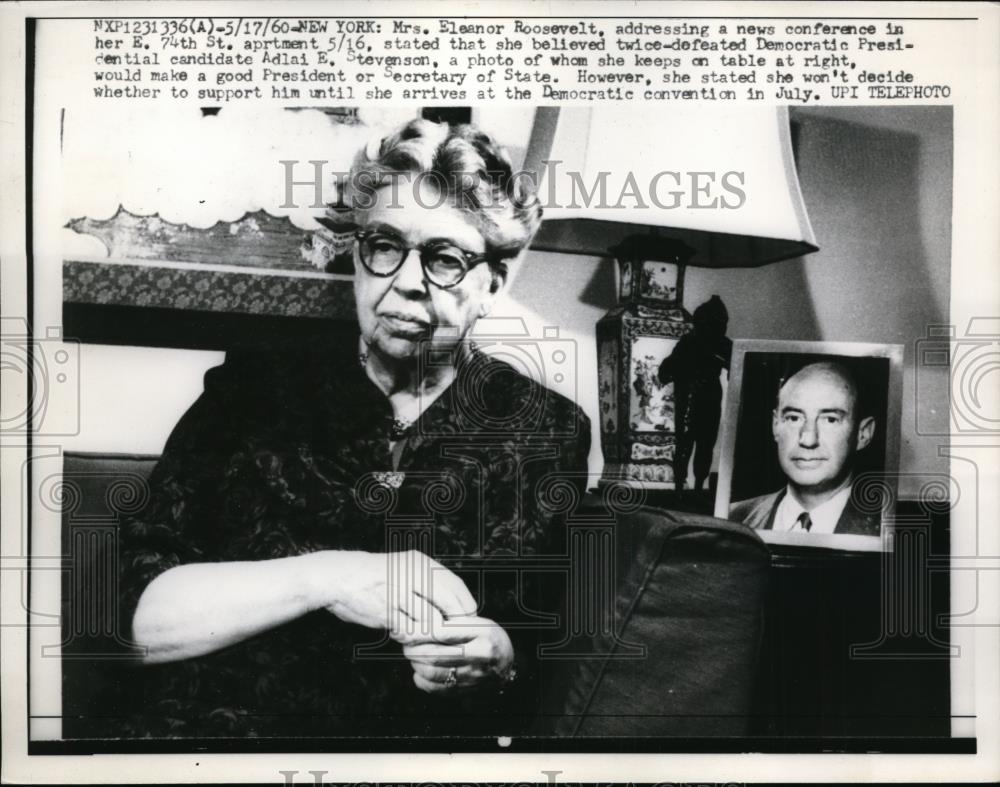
(975, 686)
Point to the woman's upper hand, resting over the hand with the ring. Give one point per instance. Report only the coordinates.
(407, 593)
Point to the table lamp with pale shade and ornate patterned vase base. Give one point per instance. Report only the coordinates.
(709, 187)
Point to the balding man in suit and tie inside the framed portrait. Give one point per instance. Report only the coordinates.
(819, 428)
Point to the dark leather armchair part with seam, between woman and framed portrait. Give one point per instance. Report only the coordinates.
(679, 654)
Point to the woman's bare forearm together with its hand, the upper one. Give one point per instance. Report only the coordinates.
(199, 608)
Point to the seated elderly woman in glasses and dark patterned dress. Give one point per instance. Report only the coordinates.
(344, 539)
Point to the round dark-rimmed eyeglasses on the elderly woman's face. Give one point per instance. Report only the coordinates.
(444, 264)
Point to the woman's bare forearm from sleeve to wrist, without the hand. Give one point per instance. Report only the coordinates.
(199, 608)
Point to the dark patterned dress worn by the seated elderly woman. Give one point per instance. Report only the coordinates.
(283, 454)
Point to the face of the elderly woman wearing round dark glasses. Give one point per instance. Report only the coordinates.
(399, 312)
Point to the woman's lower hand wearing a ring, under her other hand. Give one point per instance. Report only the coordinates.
(477, 649)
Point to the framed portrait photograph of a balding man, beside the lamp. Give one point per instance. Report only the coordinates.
(810, 448)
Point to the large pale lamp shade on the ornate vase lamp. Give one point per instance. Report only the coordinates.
(722, 180)
